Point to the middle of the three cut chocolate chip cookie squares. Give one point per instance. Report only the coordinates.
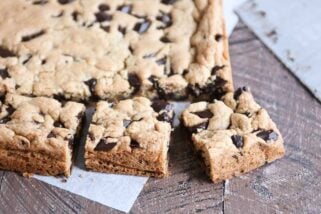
(130, 137)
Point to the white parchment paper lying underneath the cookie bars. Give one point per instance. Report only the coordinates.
(118, 191)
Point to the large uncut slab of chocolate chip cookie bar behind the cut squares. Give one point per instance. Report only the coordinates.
(107, 49)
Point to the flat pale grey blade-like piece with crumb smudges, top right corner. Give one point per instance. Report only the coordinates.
(292, 30)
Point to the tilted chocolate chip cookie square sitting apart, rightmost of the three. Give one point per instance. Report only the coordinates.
(233, 136)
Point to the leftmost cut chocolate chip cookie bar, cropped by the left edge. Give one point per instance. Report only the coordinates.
(37, 134)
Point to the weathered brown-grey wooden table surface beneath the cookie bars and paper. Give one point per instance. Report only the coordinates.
(292, 184)
